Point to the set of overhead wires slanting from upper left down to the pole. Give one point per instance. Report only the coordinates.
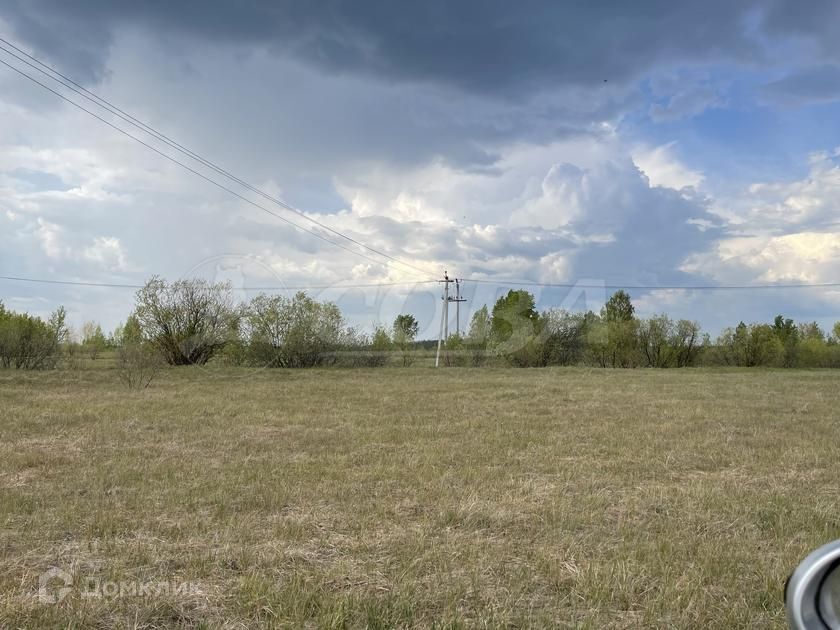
(171, 143)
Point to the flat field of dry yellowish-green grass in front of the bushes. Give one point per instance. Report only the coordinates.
(414, 497)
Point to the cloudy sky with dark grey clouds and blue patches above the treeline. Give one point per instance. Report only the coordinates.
(624, 143)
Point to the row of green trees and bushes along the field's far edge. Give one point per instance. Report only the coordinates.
(194, 322)
